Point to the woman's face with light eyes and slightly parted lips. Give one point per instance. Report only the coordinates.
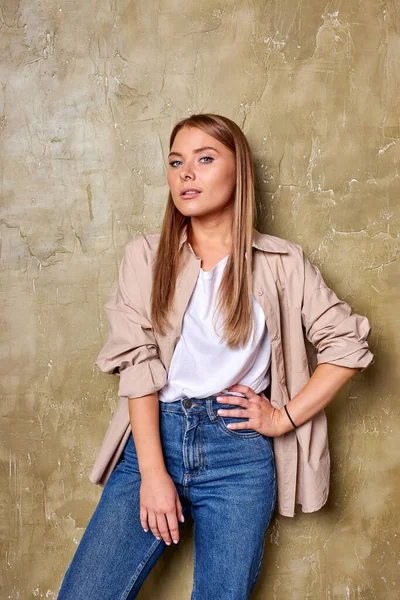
(201, 163)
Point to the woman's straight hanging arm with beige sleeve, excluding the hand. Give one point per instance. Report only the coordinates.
(132, 353)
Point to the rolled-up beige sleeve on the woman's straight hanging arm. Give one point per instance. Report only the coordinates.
(131, 350)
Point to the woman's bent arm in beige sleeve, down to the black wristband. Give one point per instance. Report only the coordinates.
(341, 340)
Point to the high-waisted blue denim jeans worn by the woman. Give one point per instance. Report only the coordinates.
(225, 478)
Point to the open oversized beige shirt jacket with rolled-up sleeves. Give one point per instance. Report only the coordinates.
(308, 325)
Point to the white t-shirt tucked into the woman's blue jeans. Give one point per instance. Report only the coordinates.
(202, 364)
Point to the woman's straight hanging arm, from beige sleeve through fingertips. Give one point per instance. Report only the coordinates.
(132, 353)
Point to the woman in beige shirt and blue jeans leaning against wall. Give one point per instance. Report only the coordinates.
(215, 329)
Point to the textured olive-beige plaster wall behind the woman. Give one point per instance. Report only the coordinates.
(89, 93)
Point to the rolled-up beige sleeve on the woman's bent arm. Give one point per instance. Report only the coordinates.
(340, 336)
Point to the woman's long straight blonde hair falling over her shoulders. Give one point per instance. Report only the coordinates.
(236, 284)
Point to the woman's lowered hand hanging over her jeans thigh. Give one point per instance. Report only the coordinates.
(160, 507)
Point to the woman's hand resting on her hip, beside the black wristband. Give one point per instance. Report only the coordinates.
(263, 417)
